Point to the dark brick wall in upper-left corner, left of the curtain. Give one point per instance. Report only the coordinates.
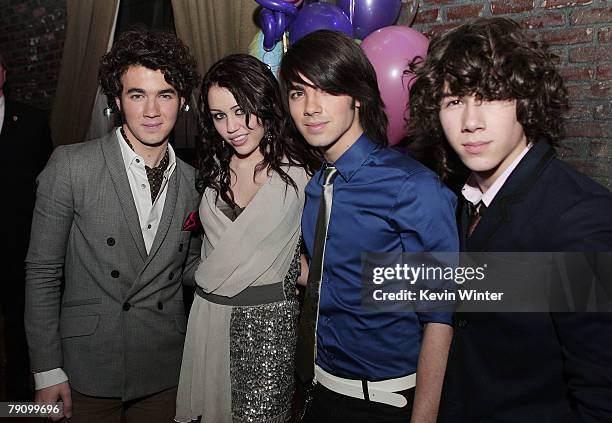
(31, 39)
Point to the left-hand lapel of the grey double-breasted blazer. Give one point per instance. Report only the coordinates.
(116, 167)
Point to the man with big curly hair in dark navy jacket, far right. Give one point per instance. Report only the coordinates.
(492, 95)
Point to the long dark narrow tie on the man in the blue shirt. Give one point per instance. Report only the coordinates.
(306, 343)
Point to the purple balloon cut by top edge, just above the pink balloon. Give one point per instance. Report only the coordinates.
(369, 15)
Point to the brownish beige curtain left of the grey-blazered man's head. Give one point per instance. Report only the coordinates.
(90, 24)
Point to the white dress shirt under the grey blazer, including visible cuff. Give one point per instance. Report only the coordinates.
(149, 215)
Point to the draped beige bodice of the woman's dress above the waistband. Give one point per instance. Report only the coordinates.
(256, 248)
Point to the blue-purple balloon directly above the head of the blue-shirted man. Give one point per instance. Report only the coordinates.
(316, 16)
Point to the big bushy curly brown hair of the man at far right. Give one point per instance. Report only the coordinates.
(494, 59)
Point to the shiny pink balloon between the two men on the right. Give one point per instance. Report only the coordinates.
(390, 49)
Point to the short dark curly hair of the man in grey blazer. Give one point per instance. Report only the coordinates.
(156, 50)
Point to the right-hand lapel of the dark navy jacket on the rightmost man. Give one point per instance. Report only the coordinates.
(513, 191)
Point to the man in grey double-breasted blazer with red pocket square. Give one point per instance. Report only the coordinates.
(109, 226)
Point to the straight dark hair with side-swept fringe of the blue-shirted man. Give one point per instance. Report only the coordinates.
(334, 63)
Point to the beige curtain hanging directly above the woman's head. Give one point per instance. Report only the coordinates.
(215, 28)
